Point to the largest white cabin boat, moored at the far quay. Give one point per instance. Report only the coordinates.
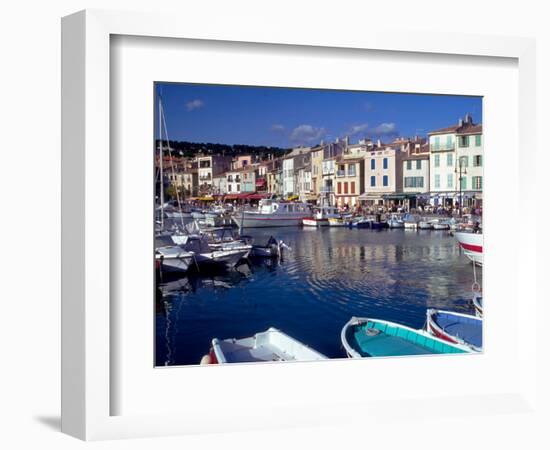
(273, 213)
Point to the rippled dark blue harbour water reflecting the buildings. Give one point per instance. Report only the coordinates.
(330, 275)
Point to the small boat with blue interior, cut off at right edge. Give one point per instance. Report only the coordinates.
(456, 328)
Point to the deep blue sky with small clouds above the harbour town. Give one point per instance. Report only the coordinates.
(284, 117)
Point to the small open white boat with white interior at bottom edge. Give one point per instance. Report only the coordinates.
(270, 345)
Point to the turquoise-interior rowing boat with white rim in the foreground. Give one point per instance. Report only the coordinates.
(366, 337)
